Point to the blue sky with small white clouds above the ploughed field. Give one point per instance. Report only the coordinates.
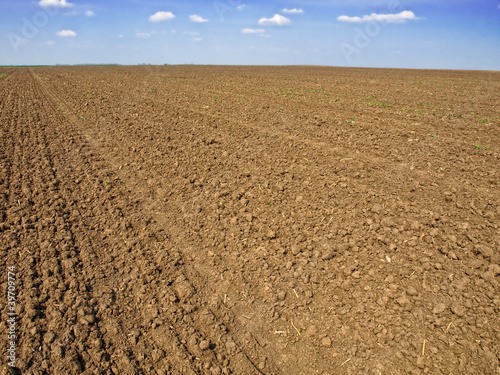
(459, 34)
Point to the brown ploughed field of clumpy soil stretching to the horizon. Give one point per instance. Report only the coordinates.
(250, 220)
